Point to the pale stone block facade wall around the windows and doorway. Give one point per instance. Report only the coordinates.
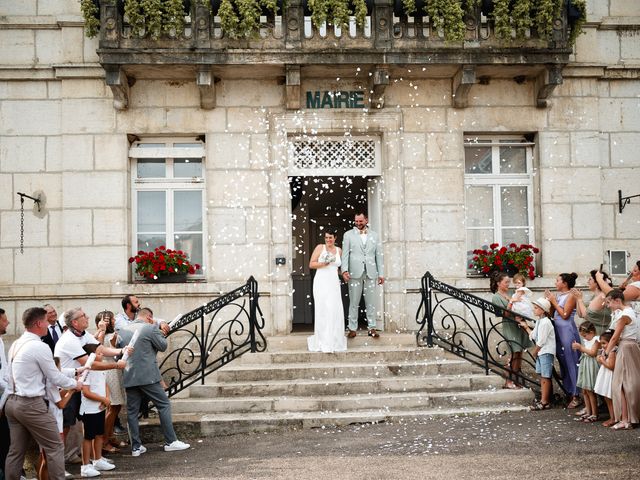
(60, 134)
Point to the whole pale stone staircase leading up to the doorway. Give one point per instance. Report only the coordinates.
(376, 380)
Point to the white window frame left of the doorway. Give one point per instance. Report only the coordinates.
(168, 184)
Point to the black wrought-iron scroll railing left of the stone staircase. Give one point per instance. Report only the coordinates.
(213, 335)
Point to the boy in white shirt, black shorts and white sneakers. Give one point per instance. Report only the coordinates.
(95, 400)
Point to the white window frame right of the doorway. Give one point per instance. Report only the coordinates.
(497, 181)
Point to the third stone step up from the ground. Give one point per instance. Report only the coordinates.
(332, 386)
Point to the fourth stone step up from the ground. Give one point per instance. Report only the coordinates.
(343, 370)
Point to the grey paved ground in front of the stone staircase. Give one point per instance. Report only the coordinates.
(541, 445)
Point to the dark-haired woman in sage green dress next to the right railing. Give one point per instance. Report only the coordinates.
(516, 338)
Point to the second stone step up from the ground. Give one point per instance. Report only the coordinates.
(341, 403)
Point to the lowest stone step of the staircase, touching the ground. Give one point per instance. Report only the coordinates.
(193, 426)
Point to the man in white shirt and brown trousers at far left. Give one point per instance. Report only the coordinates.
(30, 367)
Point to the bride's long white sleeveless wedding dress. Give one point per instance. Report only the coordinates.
(328, 333)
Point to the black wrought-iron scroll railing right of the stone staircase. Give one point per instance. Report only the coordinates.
(471, 328)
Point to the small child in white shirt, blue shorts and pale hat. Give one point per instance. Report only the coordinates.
(544, 337)
